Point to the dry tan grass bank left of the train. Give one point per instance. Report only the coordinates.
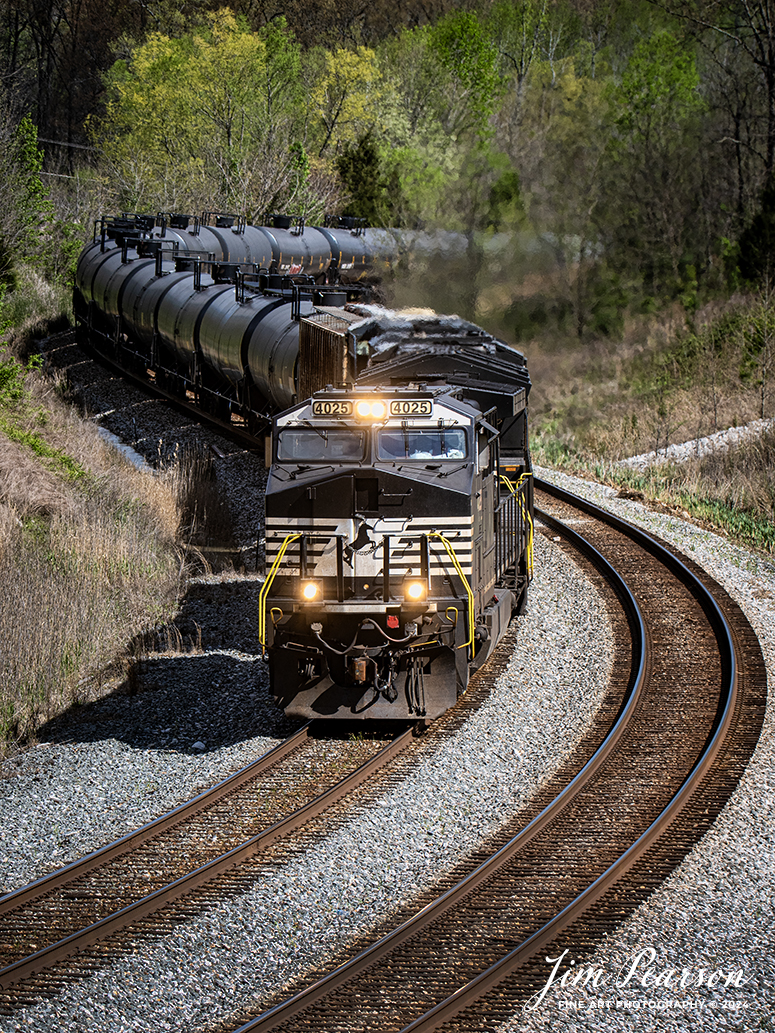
(94, 556)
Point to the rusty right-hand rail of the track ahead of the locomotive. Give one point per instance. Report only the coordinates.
(65, 949)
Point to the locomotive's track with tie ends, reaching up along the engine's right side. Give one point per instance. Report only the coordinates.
(80, 919)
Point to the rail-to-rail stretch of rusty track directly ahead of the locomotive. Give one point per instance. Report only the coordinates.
(50, 923)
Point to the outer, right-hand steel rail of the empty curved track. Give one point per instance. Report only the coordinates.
(477, 988)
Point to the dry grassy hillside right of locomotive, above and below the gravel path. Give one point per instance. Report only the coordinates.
(663, 387)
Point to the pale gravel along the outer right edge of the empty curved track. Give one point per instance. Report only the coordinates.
(717, 913)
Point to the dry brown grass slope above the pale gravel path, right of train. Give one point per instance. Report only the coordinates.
(619, 398)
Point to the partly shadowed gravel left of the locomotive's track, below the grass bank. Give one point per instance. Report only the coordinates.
(130, 758)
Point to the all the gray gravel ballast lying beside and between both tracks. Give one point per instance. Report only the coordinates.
(130, 758)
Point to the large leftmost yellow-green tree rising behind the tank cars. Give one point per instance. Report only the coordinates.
(208, 119)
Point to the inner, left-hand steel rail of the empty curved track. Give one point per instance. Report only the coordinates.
(368, 958)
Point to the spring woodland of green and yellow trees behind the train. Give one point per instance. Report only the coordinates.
(634, 151)
